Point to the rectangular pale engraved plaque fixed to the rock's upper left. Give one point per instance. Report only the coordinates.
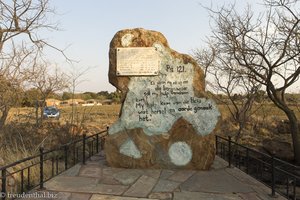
(137, 61)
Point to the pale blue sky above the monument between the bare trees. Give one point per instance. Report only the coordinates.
(88, 27)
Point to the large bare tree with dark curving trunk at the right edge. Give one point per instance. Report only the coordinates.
(267, 49)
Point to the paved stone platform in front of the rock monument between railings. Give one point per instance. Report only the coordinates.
(97, 181)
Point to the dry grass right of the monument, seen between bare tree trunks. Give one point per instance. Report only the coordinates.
(268, 122)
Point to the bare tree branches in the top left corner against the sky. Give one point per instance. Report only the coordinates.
(25, 19)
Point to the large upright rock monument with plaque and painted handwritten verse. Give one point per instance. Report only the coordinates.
(166, 119)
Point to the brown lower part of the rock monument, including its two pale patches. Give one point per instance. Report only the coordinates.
(181, 147)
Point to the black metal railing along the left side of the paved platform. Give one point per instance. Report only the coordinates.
(34, 171)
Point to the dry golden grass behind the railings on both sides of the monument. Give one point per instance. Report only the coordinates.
(21, 138)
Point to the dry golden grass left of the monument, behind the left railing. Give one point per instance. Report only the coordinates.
(21, 137)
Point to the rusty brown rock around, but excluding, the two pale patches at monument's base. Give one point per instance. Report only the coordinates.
(155, 148)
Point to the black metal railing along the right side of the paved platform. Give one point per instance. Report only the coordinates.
(282, 177)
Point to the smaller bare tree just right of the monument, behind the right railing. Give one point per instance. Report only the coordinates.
(240, 89)
